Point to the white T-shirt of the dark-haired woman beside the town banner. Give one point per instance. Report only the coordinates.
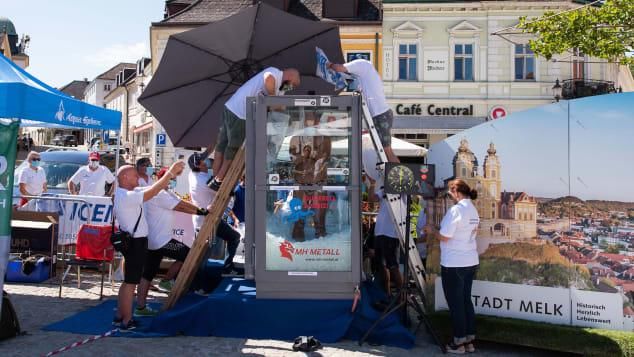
(460, 224)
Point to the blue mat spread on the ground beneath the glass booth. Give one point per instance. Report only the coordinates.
(233, 311)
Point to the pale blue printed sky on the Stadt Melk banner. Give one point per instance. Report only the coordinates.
(532, 146)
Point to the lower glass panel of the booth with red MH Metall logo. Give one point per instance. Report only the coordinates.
(308, 231)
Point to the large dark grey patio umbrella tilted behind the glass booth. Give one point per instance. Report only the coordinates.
(202, 68)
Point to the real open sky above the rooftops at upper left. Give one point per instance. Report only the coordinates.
(77, 39)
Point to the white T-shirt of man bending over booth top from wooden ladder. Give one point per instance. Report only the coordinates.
(237, 104)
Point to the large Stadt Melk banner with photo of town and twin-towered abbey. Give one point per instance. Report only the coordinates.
(556, 211)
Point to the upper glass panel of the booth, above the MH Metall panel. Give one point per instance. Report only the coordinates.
(308, 146)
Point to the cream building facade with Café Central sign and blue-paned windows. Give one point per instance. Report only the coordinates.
(445, 71)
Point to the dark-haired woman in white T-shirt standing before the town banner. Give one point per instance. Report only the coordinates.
(459, 263)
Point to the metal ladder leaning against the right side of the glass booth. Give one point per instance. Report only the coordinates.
(396, 203)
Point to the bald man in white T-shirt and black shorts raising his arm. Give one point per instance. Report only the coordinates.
(130, 216)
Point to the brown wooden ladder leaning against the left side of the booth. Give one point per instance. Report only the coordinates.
(208, 229)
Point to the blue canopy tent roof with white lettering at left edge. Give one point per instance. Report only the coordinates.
(25, 97)
